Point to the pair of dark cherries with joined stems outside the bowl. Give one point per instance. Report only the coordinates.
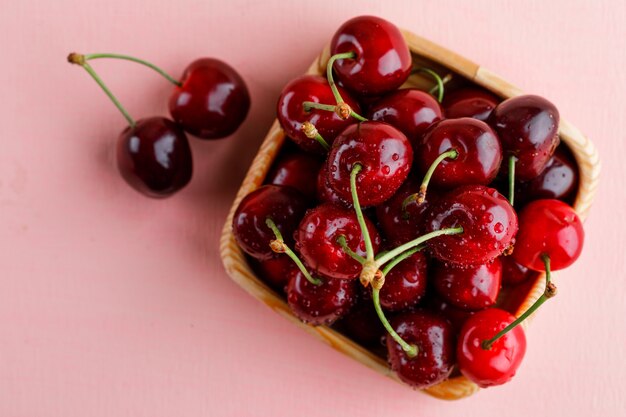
(210, 101)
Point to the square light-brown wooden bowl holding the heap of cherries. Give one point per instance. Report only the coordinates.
(425, 53)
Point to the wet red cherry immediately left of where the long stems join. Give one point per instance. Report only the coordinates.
(317, 240)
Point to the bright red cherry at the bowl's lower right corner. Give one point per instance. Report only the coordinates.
(498, 364)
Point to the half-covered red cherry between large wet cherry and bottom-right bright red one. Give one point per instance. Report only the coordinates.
(471, 288)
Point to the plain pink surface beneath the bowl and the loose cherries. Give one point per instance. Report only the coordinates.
(112, 304)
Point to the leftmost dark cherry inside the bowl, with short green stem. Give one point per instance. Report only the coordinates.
(284, 205)
